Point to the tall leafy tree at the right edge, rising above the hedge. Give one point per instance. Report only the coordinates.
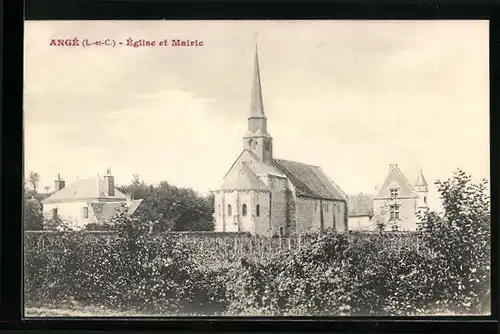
(460, 238)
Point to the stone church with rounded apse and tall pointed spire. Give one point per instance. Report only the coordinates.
(267, 196)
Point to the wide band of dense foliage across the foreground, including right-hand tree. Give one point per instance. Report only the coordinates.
(442, 269)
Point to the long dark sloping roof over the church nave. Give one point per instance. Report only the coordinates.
(309, 181)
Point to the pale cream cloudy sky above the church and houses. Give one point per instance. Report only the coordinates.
(349, 96)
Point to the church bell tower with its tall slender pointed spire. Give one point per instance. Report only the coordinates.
(257, 139)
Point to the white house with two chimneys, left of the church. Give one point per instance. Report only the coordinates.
(93, 200)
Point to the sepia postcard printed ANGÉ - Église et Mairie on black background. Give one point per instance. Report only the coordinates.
(256, 168)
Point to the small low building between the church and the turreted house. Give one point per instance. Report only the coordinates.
(360, 212)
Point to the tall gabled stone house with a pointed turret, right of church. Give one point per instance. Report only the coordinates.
(398, 202)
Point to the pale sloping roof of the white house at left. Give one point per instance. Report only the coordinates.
(84, 189)
